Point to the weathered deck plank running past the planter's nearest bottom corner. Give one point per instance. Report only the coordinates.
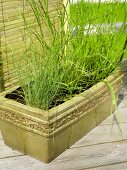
(83, 158)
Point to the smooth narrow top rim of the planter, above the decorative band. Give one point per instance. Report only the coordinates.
(58, 110)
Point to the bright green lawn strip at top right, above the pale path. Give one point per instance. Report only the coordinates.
(98, 12)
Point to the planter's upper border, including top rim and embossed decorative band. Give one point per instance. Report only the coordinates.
(46, 123)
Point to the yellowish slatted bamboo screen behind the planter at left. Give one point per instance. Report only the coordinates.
(11, 28)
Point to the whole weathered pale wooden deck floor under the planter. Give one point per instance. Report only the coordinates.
(104, 148)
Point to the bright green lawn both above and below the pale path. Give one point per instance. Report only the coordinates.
(98, 13)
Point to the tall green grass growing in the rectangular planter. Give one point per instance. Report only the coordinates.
(70, 62)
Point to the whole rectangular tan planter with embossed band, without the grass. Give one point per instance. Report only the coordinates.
(46, 134)
